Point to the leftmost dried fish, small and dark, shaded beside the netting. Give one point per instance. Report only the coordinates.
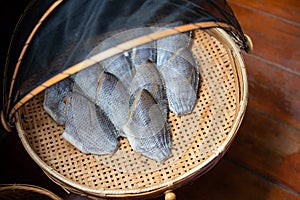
(54, 100)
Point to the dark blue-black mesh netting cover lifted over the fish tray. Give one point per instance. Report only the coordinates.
(52, 36)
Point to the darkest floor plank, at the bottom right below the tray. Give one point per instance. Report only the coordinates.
(228, 181)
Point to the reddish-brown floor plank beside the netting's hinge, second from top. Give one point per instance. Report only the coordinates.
(273, 39)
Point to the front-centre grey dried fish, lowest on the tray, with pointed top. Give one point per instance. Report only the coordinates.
(146, 128)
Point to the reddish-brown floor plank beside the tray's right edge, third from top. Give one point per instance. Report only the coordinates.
(273, 91)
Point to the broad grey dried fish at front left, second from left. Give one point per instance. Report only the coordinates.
(88, 128)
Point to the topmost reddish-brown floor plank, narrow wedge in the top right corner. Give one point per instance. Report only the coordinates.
(286, 10)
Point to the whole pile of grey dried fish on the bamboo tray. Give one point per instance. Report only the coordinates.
(128, 95)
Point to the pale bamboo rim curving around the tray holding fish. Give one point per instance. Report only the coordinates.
(233, 49)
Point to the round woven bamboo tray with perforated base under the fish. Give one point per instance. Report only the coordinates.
(199, 139)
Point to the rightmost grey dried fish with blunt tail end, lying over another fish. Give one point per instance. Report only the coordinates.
(181, 77)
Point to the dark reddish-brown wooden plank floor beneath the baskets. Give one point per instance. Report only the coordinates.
(263, 163)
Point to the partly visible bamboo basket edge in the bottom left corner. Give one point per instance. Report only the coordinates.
(24, 191)
